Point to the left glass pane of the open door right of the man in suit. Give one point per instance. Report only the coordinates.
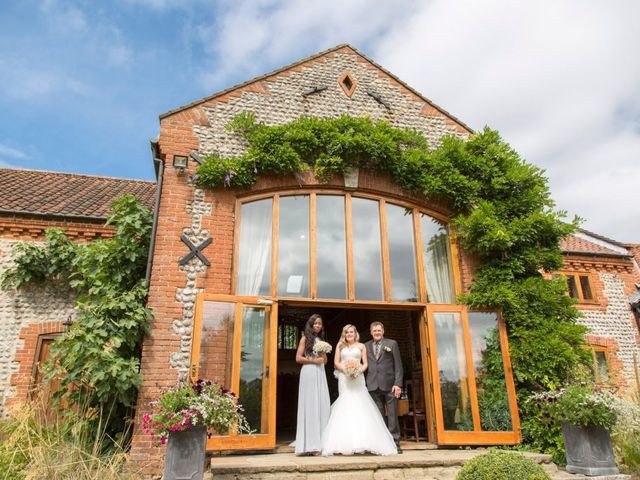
(452, 365)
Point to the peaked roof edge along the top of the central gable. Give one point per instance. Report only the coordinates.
(308, 59)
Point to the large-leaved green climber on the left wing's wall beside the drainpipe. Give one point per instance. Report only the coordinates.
(98, 360)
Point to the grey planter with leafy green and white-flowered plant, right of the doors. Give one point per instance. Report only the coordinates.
(587, 416)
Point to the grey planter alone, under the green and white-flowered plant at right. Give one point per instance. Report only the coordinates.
(588, 451)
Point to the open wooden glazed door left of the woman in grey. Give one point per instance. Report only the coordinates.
(234, 344)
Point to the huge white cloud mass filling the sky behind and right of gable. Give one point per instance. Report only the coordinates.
(559, 80)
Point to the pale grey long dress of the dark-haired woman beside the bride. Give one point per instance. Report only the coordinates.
(313, 408)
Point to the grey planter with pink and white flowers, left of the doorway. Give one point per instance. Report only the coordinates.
(181, 417)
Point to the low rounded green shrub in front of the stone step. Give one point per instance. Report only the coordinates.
(497, 465)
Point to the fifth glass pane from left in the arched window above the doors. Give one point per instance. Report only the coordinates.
(402, 256)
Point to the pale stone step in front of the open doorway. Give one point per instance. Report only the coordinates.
(430, 464)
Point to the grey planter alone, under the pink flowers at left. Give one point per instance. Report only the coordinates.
(185, 457)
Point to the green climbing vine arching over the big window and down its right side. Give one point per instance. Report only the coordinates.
(503, 214)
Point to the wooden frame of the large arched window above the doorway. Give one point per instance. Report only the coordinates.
(384, 246)
